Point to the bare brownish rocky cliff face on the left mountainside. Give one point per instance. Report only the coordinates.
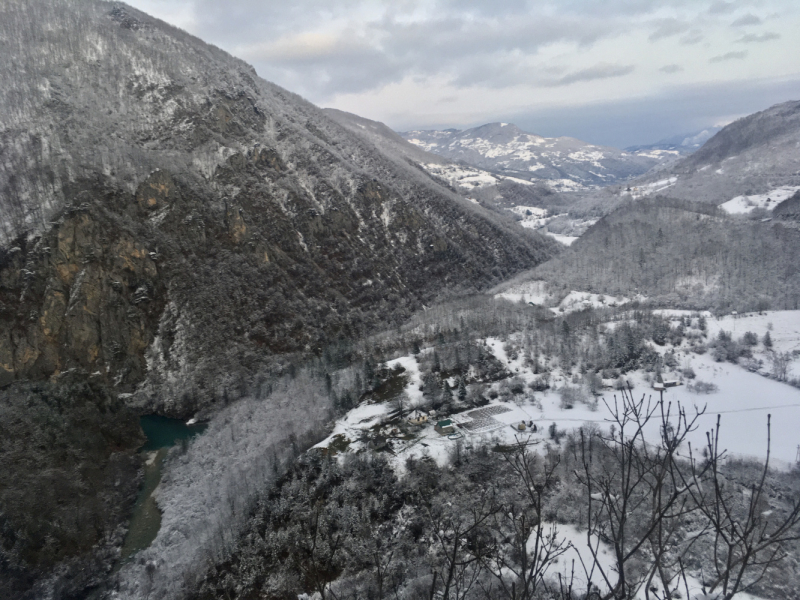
(85, 295)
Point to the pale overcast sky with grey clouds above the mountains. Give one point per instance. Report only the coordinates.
(616, 72)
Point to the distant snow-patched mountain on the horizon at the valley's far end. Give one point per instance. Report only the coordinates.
(504, 148)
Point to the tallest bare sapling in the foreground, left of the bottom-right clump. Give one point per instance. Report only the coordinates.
(635, 495)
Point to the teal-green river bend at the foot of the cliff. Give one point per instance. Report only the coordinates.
(162, 434)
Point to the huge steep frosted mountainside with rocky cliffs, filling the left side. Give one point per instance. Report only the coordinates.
(171, 228)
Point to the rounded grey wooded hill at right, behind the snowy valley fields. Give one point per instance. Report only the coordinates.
(684, 254)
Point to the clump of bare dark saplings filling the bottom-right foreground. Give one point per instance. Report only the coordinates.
(640, 494)
